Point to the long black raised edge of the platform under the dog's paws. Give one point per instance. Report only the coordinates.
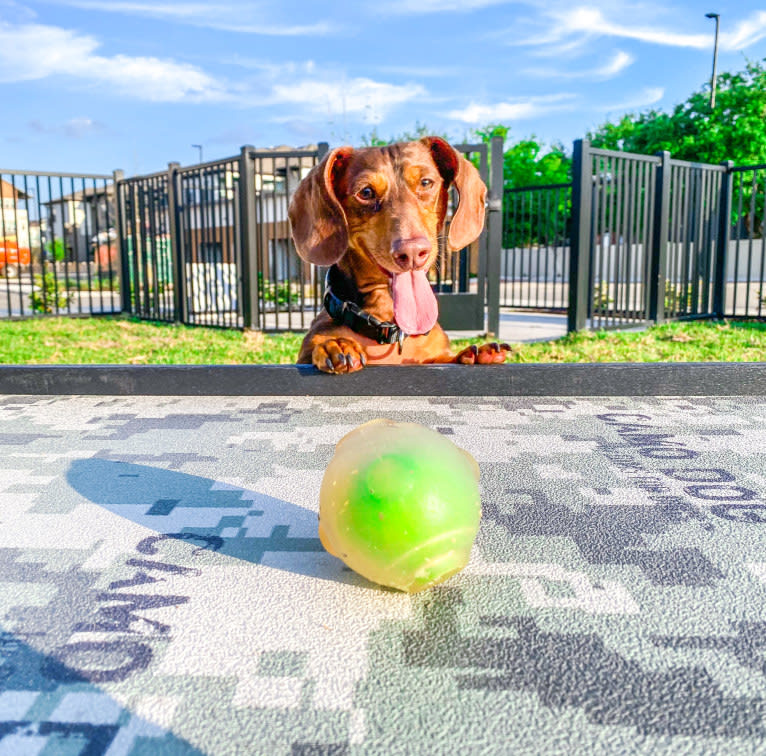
(590, 379)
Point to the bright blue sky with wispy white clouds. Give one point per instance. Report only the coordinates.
(93, 85)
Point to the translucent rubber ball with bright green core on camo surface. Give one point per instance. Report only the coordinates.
(399, 504)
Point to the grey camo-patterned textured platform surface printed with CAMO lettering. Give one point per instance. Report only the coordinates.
(163, 590)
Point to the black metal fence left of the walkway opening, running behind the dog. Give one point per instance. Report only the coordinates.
(206, 244)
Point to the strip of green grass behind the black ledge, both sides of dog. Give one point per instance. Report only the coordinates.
(128, 341)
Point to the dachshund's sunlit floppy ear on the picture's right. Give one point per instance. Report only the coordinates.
(468, 220)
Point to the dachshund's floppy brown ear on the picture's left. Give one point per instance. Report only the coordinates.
(318, 222)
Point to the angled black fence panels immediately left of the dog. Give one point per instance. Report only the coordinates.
(210, 244)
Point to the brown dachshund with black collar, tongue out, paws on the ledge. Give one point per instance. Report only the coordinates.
(375, 215)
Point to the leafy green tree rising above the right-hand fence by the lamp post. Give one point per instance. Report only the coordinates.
(733, 130)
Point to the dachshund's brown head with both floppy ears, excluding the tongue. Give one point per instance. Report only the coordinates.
(388, 204)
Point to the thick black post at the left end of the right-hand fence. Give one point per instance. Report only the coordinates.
(580, 241)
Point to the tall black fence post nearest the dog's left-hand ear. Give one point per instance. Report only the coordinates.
(251, 308)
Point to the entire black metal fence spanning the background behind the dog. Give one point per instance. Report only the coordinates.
(633, 239)
